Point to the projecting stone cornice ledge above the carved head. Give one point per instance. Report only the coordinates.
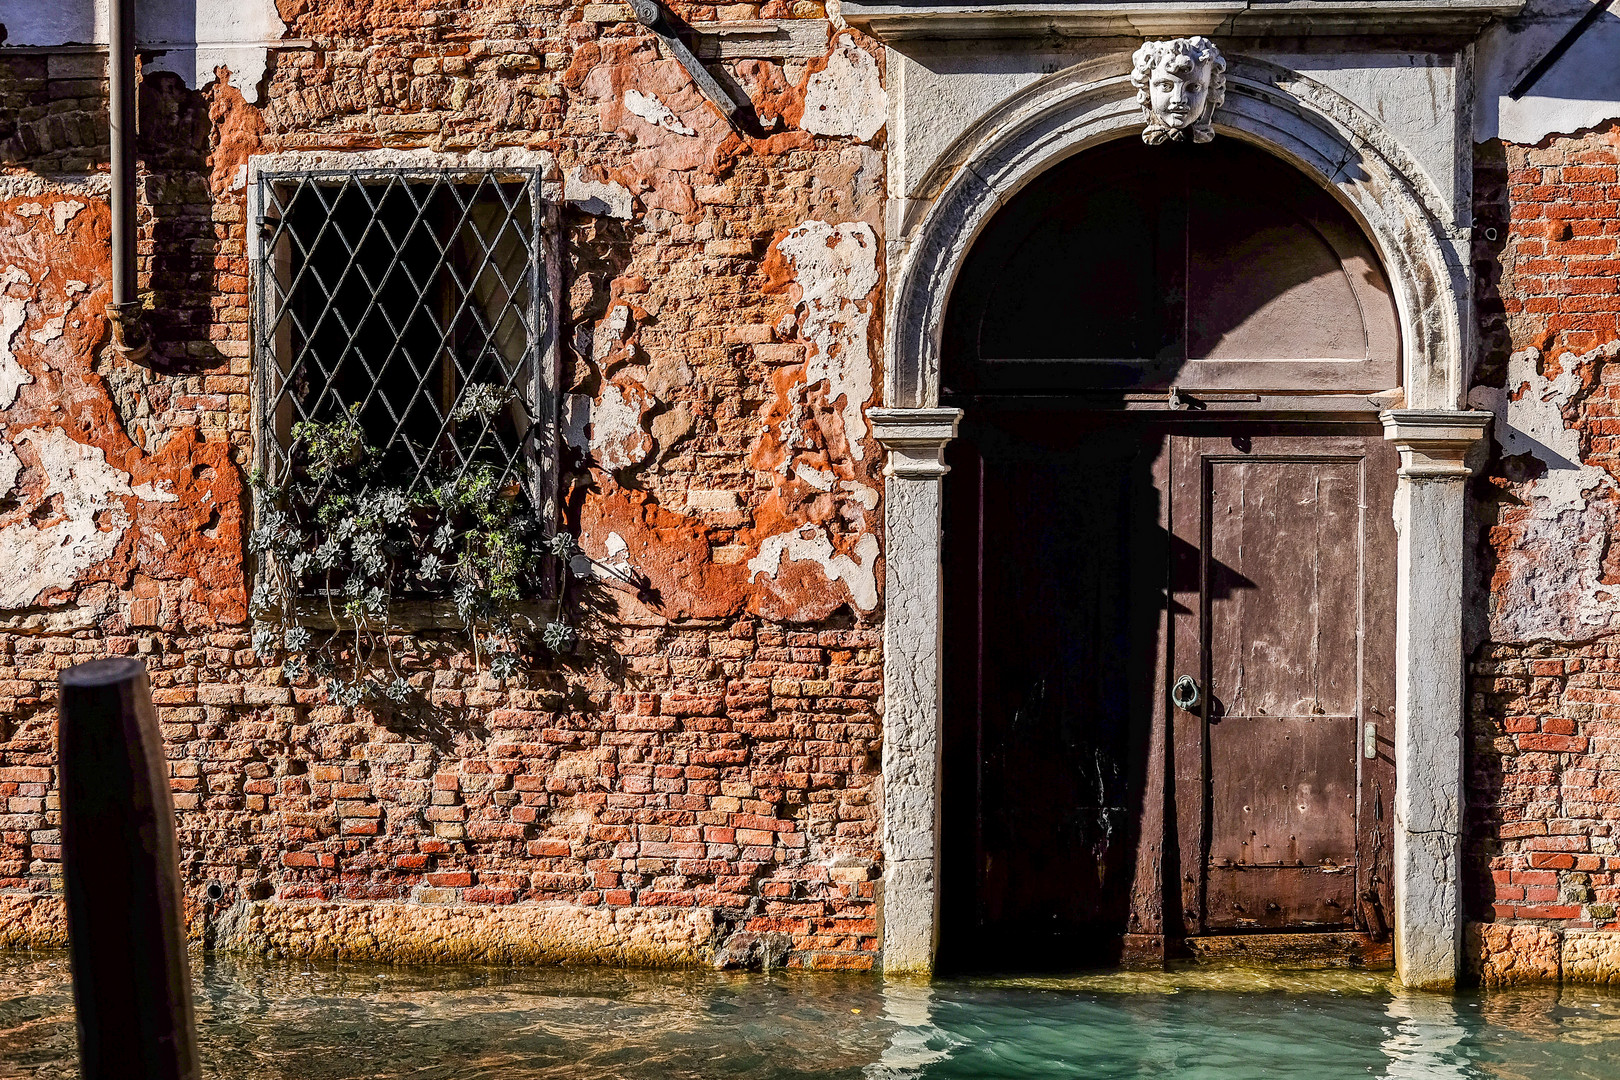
(898, 20)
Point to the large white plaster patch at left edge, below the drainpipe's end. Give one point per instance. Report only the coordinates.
(35, 559)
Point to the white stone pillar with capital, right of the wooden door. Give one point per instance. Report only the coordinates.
(1430, 718)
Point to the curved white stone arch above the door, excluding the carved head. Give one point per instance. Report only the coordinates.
(1423, 242)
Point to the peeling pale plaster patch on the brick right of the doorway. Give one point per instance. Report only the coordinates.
(1550, 582)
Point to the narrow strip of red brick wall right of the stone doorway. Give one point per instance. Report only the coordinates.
(1545, 684)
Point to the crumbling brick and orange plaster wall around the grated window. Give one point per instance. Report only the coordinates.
(702, 784)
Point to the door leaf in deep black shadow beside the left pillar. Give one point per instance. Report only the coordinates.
(1055, 597)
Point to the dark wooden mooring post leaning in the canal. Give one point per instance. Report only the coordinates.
(132, 985)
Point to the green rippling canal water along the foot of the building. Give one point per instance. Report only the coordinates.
(271, 1021)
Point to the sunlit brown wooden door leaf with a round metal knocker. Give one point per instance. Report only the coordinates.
(1284, 773)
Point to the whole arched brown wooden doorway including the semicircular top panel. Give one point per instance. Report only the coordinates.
(1170, 470)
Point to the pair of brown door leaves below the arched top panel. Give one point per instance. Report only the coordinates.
(1089, 566)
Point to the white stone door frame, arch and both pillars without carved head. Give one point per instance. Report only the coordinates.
(1425, 245)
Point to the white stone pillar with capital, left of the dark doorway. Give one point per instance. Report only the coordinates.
(913, 623)
